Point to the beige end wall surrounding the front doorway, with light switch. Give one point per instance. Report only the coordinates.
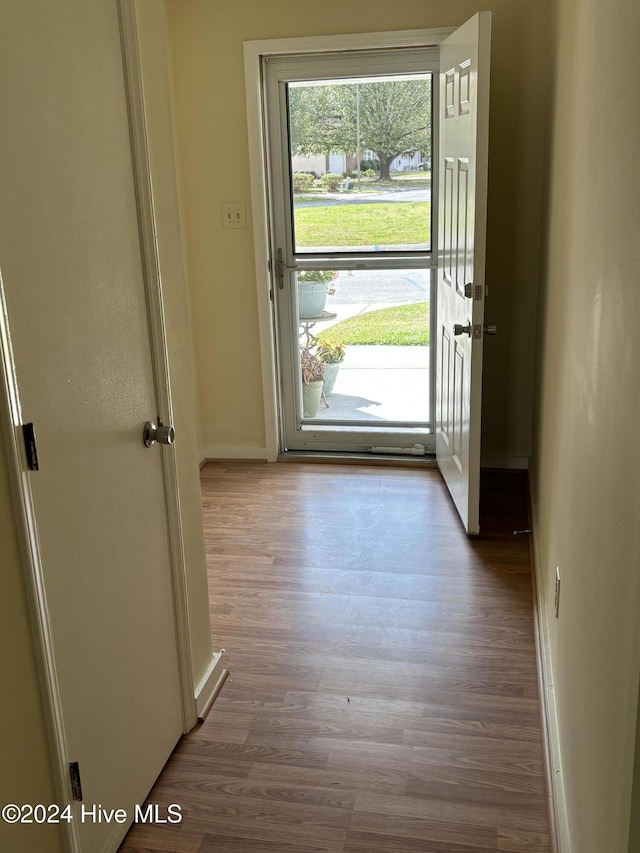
(206, 42)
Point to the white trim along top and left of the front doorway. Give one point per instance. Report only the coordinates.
(255, 52)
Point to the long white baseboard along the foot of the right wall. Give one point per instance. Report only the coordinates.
(560, 829)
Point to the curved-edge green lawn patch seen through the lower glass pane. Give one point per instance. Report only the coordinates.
(402, 325)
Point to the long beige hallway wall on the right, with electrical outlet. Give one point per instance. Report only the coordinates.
(586, 481)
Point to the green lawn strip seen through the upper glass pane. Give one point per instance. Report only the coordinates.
(385, 224)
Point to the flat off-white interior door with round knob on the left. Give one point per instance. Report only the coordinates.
(71, 264)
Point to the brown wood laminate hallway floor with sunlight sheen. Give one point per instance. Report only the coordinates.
(383, 692)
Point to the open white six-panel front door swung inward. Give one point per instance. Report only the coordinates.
(463, 150)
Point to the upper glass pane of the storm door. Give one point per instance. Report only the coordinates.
(360, 162)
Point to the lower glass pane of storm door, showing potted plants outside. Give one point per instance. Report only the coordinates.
(364, 346)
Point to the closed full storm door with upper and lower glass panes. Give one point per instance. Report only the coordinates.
(350, 148)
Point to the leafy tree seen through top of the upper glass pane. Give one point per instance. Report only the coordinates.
(395, 119)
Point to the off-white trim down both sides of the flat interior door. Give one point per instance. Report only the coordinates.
(19, 476)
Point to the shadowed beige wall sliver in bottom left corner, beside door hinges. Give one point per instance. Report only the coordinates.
(25, 773)
